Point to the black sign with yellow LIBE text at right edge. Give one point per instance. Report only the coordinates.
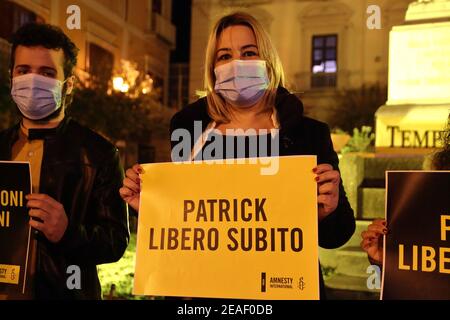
(417, 246)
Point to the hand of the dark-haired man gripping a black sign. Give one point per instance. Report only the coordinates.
(53, 219)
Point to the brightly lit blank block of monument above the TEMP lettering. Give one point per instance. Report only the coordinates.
(419, 61)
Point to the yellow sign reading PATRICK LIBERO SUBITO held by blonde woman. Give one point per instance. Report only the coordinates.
(226, 231)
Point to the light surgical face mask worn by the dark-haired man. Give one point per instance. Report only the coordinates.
(36, 96)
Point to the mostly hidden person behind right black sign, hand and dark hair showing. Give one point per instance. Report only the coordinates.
(372, 241)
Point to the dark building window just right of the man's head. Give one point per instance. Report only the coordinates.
(101, 63)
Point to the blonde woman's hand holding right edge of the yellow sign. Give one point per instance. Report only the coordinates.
(328, 186)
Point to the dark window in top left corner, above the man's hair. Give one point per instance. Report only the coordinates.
(13, 17)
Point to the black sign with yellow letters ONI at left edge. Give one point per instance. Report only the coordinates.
(15, 184)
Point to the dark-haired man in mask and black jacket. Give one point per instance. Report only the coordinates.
(76, 212)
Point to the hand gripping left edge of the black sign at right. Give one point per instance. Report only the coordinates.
(372, 241)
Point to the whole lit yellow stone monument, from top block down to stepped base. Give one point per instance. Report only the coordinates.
(408, 127)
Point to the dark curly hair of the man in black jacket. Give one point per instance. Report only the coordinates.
(47, 36)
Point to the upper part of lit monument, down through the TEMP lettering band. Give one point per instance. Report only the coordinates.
(418, 104)
